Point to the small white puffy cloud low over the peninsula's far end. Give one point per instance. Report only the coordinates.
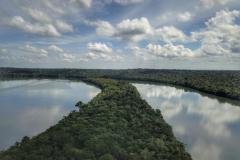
(101, 51)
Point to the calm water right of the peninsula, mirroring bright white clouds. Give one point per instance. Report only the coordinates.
(209, 127)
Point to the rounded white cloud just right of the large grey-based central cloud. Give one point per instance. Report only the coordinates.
(169, 34)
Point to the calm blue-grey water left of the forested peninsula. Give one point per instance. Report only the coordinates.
(28, 107)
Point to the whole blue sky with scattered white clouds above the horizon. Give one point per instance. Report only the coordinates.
(113, 34)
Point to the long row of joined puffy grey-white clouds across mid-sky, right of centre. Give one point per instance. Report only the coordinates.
(138, 29)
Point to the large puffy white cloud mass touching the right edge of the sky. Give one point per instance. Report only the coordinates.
(221, 35)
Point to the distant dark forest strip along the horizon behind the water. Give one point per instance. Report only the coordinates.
(221, 83)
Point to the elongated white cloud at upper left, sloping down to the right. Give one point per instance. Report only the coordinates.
(44, 30)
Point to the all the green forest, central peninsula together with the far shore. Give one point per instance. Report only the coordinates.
(117, 124)
